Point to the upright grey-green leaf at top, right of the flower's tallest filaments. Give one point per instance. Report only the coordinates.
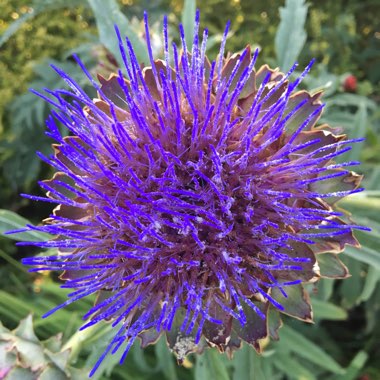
(291, 35)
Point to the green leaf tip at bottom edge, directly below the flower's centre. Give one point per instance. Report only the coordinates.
(211, 365)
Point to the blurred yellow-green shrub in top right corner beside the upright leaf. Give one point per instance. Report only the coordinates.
(343, 36)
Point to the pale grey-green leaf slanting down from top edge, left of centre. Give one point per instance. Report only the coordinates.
(107, 15)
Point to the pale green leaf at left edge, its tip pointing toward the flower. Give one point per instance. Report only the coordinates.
(9, 220)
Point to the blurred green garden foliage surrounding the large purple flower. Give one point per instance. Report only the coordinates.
(344, 37)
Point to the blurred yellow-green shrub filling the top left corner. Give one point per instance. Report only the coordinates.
(53, 33)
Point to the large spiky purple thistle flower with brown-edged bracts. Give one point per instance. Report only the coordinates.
(194, 197)
